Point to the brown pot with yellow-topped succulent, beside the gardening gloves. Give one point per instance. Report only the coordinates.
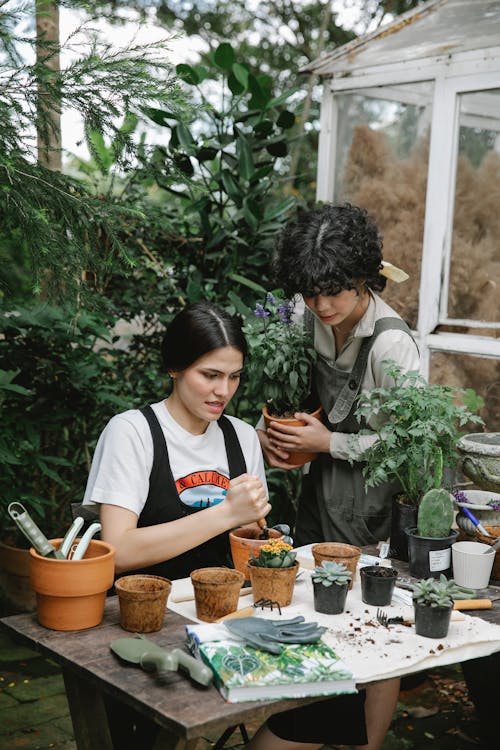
(273, 572)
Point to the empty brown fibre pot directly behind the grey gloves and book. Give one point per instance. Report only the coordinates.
(216, 592)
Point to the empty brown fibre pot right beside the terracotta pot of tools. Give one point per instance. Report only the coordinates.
(142, 599)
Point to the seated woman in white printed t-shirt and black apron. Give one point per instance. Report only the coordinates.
(172, 479)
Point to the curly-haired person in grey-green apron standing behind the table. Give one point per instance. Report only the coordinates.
(332, 256)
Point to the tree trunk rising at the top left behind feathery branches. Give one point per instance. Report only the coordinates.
(48, 123)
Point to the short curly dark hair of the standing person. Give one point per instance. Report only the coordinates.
(327, 250)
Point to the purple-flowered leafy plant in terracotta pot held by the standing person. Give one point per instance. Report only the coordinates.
(280, 363)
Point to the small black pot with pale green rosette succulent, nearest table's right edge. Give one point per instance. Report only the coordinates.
(433, 603)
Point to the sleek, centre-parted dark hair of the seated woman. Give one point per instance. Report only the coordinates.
(197, 330)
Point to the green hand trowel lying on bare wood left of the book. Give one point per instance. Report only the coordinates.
(154, 658)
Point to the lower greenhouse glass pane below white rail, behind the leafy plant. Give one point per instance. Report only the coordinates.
(465, 371)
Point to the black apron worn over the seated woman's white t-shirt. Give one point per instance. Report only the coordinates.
(163, 503)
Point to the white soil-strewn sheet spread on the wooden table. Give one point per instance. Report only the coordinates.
(370, 650)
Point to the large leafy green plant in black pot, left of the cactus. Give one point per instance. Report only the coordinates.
(418, 425)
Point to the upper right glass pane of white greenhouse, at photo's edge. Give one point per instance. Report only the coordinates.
(475, 257)
